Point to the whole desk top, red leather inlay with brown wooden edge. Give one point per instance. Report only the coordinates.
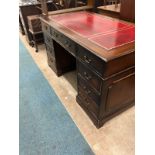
(104, 36)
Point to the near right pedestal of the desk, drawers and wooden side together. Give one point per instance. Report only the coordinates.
(104, 88)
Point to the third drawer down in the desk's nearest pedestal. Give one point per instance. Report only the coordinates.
(88, 91)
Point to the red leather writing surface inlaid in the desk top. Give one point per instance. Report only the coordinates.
(103, 31)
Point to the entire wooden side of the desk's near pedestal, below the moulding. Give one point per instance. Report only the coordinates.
(117, 94)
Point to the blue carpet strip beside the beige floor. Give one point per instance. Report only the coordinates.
(45, 127)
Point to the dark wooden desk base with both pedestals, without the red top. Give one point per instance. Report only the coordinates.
(104, 88)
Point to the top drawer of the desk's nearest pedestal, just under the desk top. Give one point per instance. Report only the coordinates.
(90, 59)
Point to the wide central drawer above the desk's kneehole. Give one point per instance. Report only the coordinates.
(64, 41)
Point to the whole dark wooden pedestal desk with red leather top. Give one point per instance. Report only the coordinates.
(102, 51)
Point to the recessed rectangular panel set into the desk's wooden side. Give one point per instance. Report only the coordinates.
(120, 92)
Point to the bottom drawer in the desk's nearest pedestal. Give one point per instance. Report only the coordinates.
(87, 102)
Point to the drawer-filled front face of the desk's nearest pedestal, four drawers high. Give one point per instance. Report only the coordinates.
(89, 82)
